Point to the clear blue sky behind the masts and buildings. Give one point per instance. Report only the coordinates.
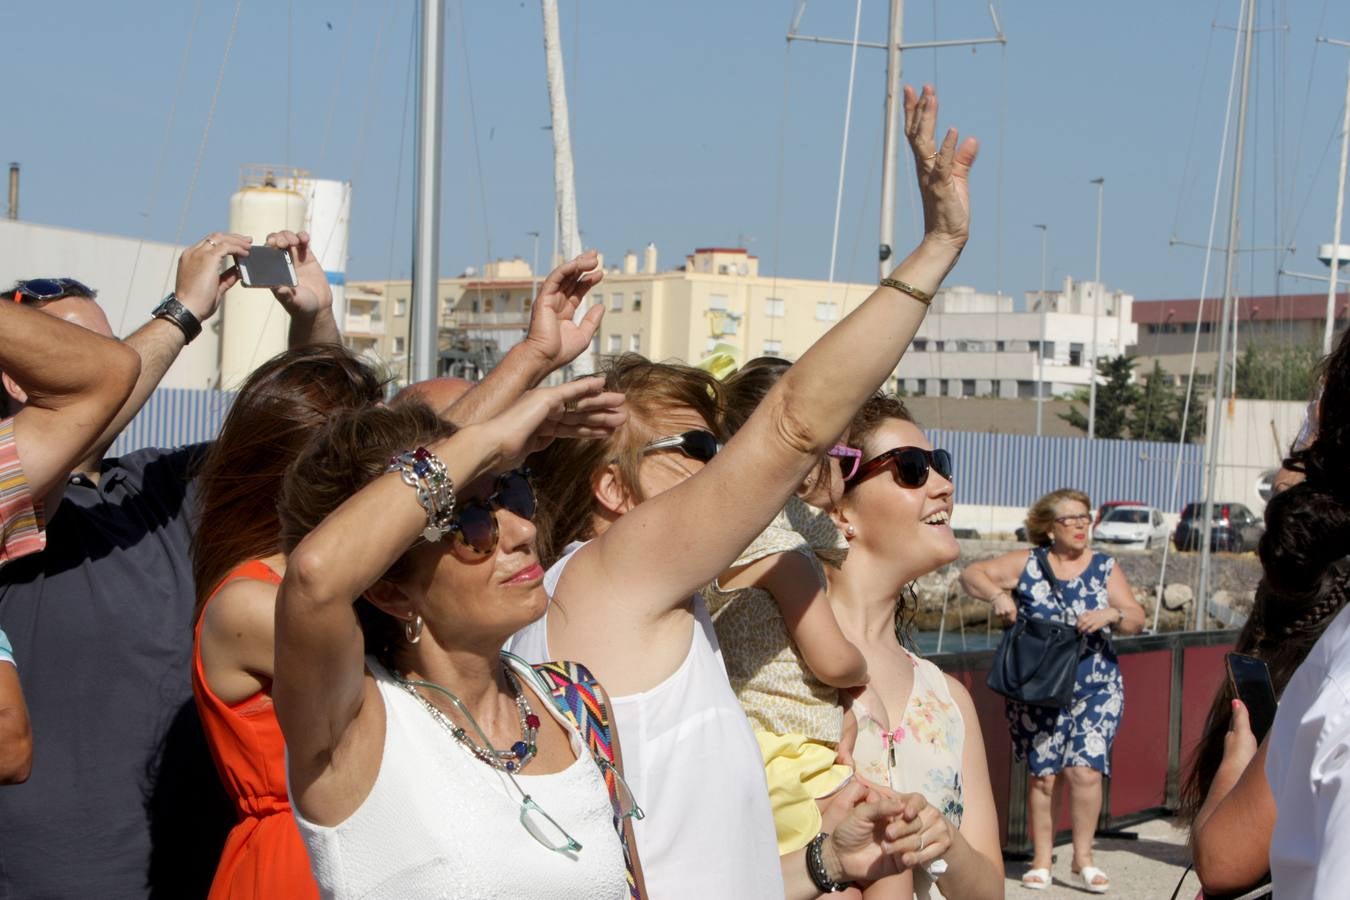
(684, 118)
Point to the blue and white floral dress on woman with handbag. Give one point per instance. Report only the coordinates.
(1079, 735)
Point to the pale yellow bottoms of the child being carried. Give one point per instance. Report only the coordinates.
(800, 772)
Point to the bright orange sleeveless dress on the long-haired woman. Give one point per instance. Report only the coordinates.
(265, 855)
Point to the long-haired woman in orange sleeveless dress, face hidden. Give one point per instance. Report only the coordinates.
(238, 567)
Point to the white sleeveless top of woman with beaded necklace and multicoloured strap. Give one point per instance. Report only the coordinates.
(441, 824)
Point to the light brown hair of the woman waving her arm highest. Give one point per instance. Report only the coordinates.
(566, 472)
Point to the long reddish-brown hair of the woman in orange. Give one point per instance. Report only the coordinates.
(281, 405)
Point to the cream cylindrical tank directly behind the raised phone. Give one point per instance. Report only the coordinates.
(253, 323)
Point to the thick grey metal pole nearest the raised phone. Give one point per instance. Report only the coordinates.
(426, 323)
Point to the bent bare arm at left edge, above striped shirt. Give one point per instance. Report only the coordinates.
(75, 380)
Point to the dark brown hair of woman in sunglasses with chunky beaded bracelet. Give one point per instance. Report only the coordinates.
(349, 453)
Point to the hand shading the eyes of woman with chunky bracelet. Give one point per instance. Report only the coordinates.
(577, 410)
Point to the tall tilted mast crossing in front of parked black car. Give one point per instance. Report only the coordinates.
(1202, 601)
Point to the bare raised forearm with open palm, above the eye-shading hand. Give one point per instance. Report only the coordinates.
(553, 342)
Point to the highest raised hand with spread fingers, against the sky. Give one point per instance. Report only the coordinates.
(944, 171)
